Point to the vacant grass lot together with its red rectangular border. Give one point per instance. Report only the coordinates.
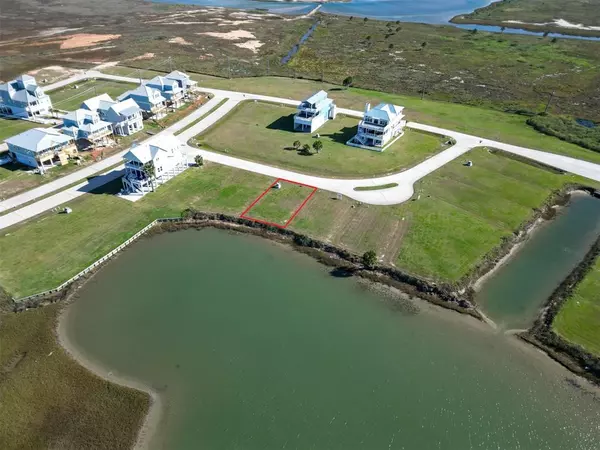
(278, 207)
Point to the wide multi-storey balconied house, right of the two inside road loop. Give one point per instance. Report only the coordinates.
(380, 127)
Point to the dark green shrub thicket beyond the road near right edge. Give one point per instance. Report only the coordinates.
(567, 129)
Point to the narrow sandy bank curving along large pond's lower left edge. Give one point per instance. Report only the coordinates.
(154, 415)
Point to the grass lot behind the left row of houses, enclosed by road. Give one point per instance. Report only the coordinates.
(68, 98)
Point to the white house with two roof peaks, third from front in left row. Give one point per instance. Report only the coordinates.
(125, 117)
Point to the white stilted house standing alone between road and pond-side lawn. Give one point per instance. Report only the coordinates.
(152, 163)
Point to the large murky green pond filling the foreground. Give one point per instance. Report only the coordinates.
(253, 346)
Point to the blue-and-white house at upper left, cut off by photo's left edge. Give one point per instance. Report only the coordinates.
(22, 97)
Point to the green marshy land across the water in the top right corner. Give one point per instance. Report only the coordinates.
(537, 12)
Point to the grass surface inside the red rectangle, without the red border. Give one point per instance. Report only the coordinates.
(278, 205)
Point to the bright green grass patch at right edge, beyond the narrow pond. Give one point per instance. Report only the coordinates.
(578, 319)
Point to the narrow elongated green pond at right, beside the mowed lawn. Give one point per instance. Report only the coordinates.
(513, 296)
